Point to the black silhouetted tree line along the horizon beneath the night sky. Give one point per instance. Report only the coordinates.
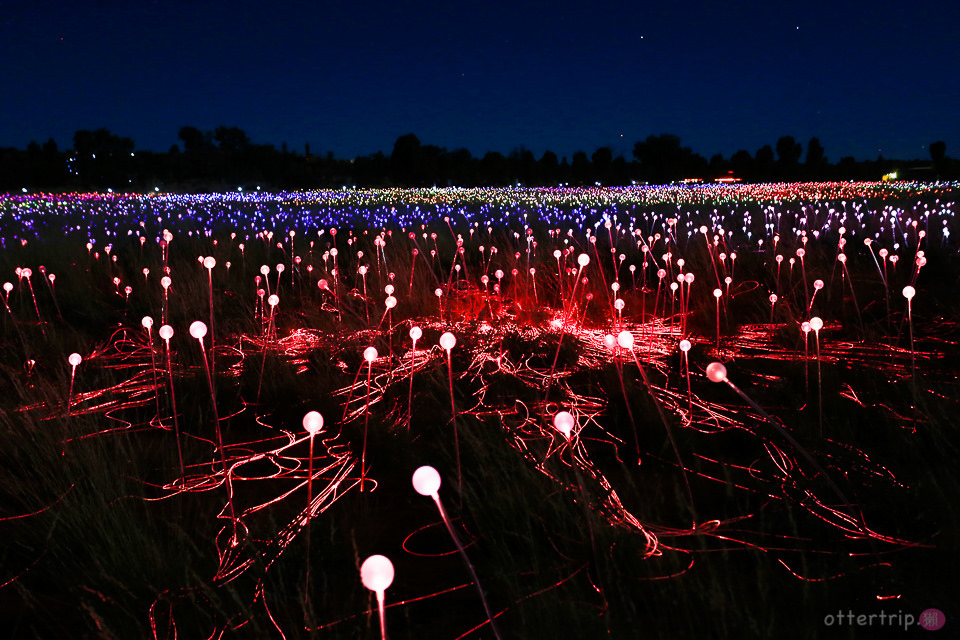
(225, 158)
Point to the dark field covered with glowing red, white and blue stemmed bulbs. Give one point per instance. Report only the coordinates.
(716, 410)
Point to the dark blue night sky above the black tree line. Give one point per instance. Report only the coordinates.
(350, 77)
